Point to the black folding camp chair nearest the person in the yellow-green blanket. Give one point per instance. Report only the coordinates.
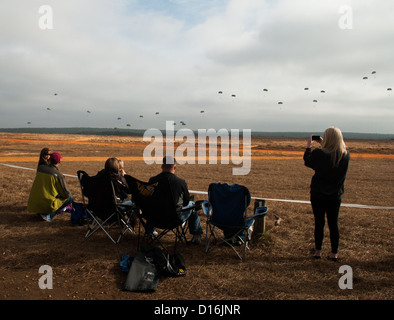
(103, 211)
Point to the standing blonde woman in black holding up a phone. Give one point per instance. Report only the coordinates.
(330, 163)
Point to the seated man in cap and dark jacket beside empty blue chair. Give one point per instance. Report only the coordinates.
(181, 199)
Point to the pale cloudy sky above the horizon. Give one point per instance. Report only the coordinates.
(140, 63)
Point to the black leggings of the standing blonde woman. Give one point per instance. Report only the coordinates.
(320, 208)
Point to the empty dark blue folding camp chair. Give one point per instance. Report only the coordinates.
(226, 210)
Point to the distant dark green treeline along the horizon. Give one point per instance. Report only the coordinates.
(140, 133)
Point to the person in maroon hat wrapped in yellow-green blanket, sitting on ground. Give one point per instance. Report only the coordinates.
(49, 194)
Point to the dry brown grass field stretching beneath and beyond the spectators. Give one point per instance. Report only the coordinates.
(279, 265)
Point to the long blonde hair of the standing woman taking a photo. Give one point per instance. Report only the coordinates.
(333, 144)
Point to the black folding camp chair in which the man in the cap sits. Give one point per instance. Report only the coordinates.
(157, 208)
